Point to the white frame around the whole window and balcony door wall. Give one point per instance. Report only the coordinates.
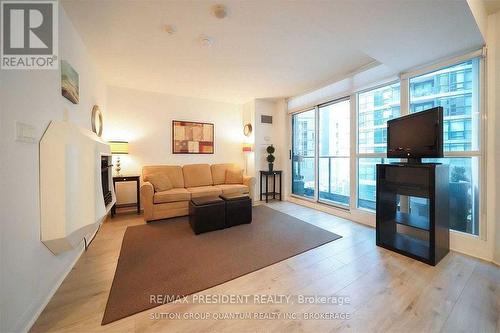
(367, 215)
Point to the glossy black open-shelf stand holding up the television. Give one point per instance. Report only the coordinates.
(419, 230)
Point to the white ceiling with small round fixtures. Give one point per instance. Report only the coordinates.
(266, 48)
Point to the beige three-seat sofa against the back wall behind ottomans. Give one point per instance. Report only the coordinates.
(189, 181)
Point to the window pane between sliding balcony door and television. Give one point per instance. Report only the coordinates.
(375, 107)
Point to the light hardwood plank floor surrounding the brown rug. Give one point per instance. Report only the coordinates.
(387, 291)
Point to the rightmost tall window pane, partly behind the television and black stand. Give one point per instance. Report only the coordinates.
(456, 89)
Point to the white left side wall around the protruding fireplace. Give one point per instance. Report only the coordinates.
(29, 271)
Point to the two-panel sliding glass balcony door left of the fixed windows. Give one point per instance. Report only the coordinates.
(321, 163)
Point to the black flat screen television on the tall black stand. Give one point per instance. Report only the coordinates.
(416, 136)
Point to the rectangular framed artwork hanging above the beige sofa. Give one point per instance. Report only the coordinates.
(192, 137)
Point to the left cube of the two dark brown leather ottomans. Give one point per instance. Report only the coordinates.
(207, 214)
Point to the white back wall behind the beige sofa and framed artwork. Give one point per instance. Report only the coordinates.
(144, 119)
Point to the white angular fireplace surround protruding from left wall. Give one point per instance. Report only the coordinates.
(76, 192)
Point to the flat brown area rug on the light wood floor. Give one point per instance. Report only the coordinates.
(166, 258)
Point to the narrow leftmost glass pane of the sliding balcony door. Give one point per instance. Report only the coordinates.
(304, 153)
